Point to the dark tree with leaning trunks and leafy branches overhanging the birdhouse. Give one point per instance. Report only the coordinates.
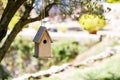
(13, 6)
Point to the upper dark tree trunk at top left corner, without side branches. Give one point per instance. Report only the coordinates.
(8, 13)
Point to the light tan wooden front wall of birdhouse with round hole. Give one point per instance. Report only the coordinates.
(45, 46)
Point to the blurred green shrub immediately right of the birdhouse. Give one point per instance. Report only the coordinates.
(64, 51)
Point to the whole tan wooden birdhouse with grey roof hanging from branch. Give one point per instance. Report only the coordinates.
(42, 43)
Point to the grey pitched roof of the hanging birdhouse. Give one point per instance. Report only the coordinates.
(39, 34)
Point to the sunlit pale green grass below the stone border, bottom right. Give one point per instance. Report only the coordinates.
(104, 70)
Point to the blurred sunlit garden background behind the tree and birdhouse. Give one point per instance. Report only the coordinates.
(86, 44)
